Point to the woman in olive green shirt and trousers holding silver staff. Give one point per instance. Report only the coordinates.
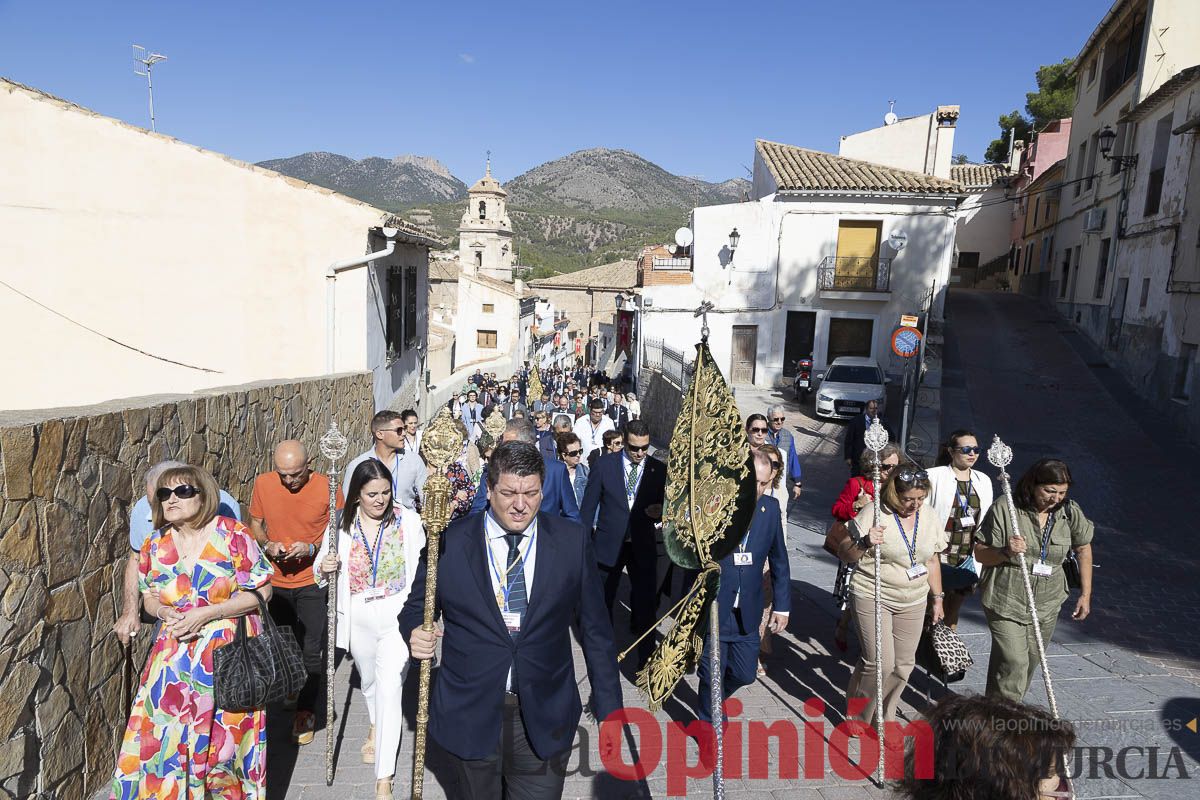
(1049, 526)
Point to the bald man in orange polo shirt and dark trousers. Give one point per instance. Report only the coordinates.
(289, 516)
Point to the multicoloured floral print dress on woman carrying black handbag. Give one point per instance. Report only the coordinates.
(178, 745)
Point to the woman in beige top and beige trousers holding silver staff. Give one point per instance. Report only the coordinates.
(910, 539)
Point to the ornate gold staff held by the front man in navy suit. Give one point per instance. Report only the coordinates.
(441, 446)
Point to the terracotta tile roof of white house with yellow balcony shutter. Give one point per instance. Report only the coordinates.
(811, 171)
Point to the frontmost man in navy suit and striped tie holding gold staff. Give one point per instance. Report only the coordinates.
(512, 585)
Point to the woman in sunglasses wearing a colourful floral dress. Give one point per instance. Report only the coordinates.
(196, 570)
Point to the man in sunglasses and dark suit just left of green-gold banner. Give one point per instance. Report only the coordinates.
(627, 489)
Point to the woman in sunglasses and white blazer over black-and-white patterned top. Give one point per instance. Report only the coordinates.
(961, 496)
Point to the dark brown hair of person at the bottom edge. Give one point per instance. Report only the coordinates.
(988, 748)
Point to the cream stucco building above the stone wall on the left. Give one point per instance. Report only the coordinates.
(172, 250)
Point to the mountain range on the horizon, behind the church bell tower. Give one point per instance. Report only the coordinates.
(591, 207)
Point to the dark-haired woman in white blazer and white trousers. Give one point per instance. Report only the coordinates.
(376, 564)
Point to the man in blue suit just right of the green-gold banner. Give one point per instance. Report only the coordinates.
(741, 599)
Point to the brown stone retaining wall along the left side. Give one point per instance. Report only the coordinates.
(68, 480)
